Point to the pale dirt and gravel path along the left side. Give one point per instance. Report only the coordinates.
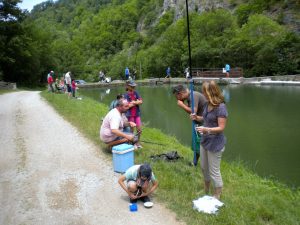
(51, 174)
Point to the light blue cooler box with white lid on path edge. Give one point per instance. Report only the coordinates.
(123, 157)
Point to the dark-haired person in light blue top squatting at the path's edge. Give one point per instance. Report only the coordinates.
(141, 182)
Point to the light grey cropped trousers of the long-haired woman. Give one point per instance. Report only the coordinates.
(210, 166)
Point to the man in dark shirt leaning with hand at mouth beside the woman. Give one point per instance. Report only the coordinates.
(182, 95)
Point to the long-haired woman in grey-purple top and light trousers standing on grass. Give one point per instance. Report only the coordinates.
(213, 140)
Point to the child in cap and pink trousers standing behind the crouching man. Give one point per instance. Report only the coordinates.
(134, 113)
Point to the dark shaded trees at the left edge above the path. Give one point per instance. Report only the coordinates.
(25, 52)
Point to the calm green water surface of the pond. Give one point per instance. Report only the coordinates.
(262, 130)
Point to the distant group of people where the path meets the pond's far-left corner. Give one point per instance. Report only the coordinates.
(63, 85)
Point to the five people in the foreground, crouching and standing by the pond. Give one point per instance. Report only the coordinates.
(210, 116)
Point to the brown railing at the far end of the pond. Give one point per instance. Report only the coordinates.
(216, 72)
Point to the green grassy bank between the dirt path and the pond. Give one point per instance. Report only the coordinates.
(248, 198)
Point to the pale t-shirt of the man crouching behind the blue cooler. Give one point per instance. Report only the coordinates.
(113, 120)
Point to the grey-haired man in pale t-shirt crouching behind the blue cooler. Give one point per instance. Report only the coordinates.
(111, 131)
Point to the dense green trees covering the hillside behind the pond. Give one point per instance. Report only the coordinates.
(85, 36)
